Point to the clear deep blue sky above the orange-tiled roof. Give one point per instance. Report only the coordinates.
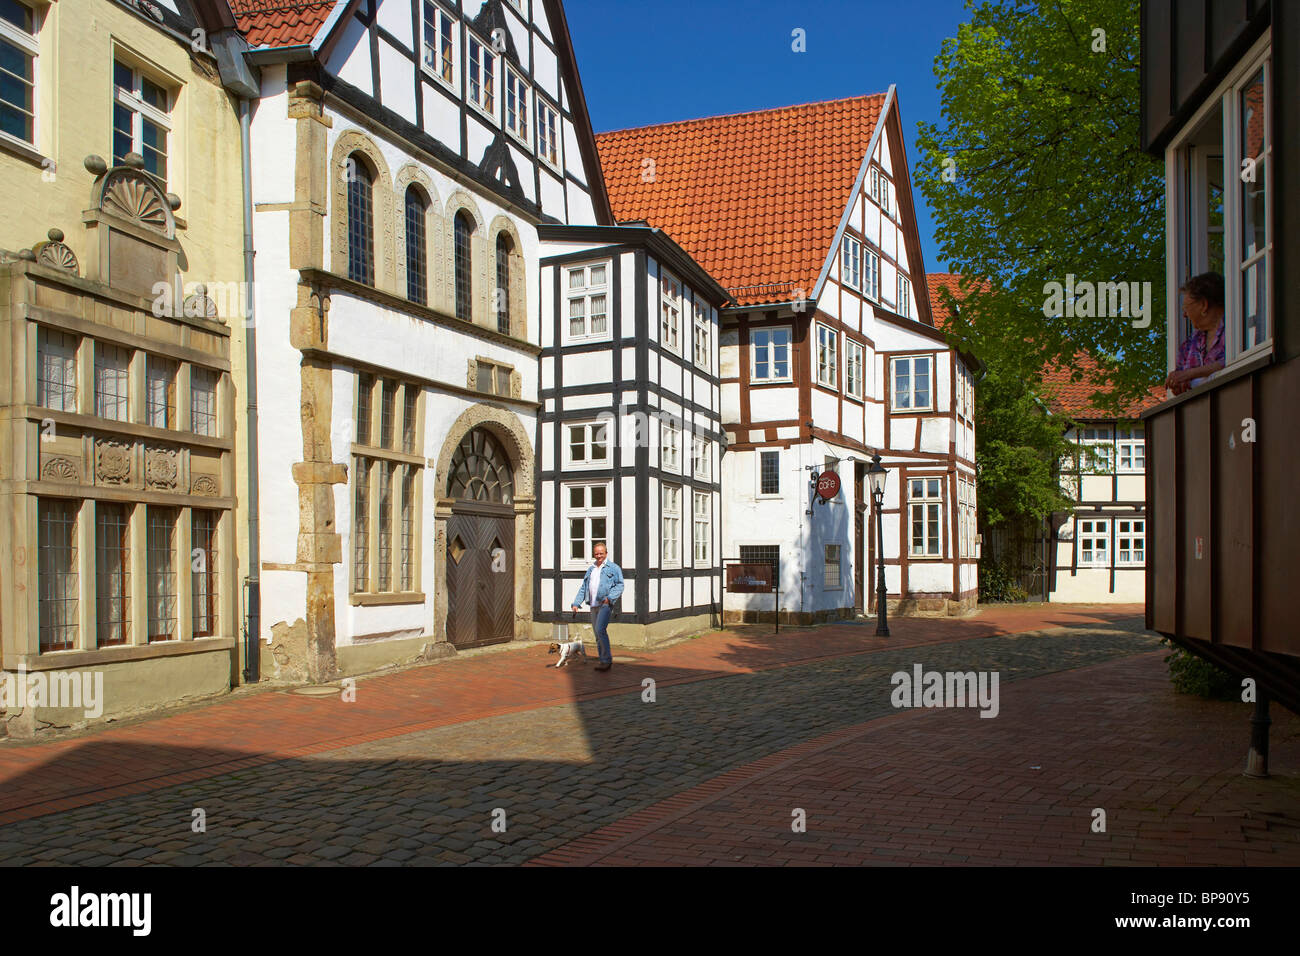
(645, 63)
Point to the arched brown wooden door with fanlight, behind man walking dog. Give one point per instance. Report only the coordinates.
(480, 543)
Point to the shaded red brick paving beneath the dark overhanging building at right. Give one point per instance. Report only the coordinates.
(950, 788)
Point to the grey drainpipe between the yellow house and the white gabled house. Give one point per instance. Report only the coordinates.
(242, 81)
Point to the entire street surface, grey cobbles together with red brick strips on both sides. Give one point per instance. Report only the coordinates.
(744, 729)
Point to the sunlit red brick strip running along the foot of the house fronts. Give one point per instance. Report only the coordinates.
(249, 730)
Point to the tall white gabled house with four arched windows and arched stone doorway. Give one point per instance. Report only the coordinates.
(406, 153)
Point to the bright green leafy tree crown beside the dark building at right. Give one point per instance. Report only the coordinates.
(1035, 174)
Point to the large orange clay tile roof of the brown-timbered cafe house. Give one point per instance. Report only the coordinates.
(755, 198)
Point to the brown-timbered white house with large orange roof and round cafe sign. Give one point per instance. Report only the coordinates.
(829, 354)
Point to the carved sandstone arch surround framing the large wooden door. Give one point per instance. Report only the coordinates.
(506, 427)
